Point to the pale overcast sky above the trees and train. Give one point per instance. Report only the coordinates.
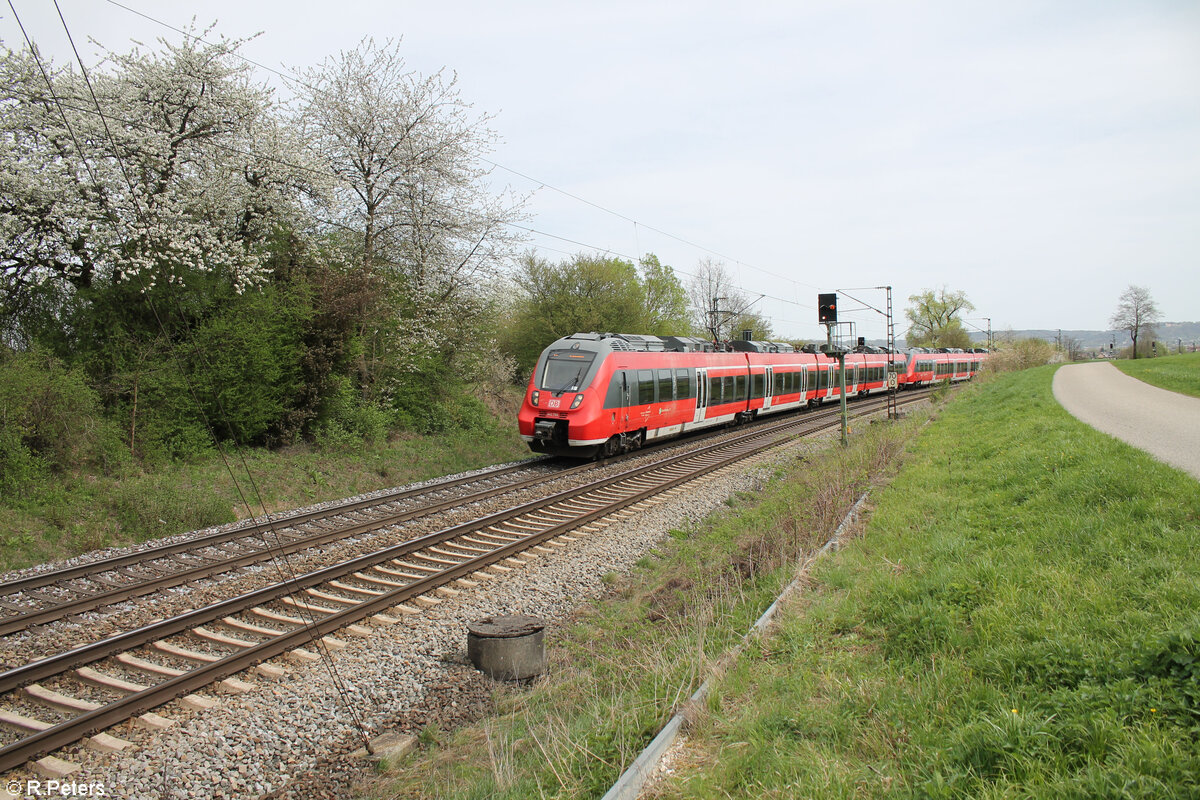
(1040, 157)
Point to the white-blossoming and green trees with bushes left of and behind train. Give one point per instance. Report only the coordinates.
(185, 257)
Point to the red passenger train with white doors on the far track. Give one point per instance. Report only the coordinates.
(603, 394)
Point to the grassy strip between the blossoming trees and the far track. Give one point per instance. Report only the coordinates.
(76, 514)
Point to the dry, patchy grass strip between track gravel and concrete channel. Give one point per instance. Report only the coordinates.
(617, 675)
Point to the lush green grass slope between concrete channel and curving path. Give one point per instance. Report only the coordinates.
(1021, 619)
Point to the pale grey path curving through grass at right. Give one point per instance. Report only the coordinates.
(1167, 425)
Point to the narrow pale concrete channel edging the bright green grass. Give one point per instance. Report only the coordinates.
(632, 783)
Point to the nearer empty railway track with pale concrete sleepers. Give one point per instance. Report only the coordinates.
(67, 697)
